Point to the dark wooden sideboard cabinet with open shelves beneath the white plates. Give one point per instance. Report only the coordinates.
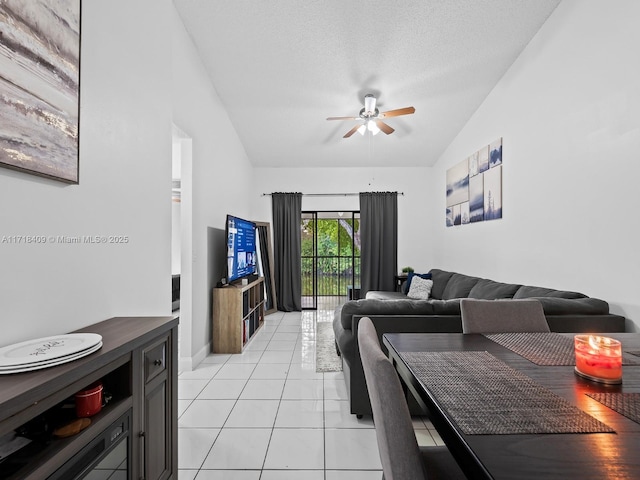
(137, 366)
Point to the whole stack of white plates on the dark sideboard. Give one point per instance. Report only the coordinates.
(47, 352)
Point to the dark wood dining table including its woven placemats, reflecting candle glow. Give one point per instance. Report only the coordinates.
(511, 406)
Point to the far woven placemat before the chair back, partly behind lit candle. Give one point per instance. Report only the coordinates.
(545, 348)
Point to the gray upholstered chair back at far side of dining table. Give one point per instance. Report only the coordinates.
(502, 316)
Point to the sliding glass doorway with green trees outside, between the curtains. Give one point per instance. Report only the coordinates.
(330, 258)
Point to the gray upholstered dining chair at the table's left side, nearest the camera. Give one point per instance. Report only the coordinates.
(400, 455)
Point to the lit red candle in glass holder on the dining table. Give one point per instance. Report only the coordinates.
(598, 358)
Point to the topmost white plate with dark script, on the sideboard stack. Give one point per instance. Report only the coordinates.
(48, 348)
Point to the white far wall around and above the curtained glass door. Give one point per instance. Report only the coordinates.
(414, 220)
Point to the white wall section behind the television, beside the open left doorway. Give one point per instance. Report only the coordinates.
(221, 172)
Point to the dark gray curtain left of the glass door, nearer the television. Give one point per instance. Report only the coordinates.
(287, 209)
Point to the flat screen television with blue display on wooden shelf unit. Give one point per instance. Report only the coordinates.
(241, 248)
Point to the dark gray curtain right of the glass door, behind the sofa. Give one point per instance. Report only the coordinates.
(379, 241)
